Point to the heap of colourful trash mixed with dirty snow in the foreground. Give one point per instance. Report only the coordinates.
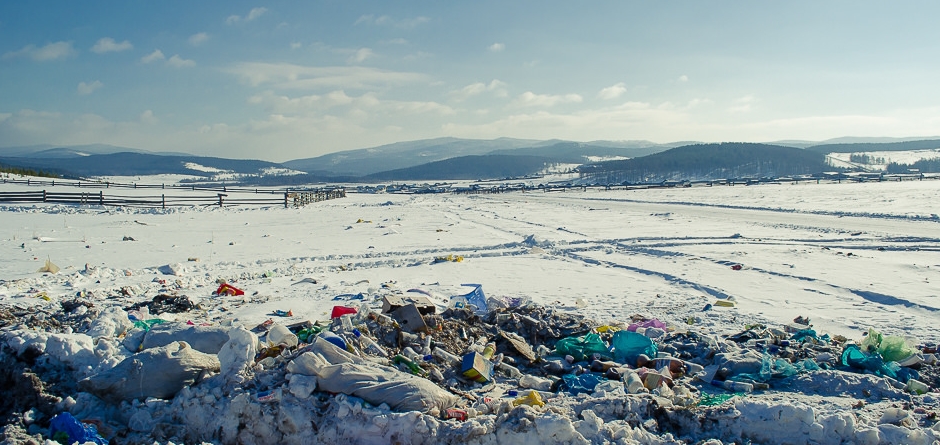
(402, 361)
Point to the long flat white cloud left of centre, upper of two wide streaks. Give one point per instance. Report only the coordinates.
(290, 76)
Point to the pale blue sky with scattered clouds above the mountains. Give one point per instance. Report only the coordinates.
(289, 79)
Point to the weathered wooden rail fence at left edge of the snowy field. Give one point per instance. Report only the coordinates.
(296, 198)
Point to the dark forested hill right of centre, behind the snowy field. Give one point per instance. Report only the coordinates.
(709, 161)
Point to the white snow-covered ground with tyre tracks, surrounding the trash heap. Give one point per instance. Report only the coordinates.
(850, 257)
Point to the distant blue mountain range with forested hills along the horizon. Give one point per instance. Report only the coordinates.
(453, 158)
